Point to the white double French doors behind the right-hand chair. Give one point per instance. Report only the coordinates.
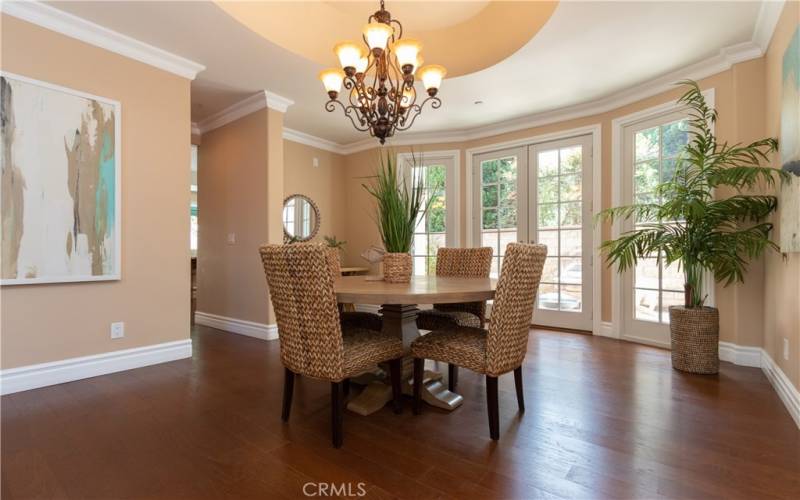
(542, 193)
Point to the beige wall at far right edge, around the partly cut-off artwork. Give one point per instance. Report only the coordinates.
(781, 296)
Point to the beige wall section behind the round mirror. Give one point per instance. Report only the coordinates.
(324, 184)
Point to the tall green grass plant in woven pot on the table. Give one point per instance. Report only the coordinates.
(398, 207)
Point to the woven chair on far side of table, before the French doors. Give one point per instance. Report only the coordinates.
(463, 263)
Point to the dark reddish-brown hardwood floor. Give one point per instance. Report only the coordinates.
(604, 419)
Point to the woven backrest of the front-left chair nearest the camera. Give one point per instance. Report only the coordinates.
(300, 285)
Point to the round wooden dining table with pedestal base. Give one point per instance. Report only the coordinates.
(399, 307)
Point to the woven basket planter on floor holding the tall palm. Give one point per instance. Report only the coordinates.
(694, 334)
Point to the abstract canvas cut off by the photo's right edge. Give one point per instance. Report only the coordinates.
(790, 146)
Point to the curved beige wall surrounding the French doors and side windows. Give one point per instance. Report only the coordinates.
(739, 99)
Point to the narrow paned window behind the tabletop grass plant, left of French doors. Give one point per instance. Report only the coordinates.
(438, 227)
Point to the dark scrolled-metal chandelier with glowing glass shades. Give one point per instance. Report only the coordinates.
(381, 97)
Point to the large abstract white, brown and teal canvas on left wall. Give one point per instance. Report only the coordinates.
(60, 184)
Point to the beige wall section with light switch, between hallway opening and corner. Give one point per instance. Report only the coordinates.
(232, 199)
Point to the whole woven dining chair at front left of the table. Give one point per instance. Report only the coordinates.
(310, 335)
